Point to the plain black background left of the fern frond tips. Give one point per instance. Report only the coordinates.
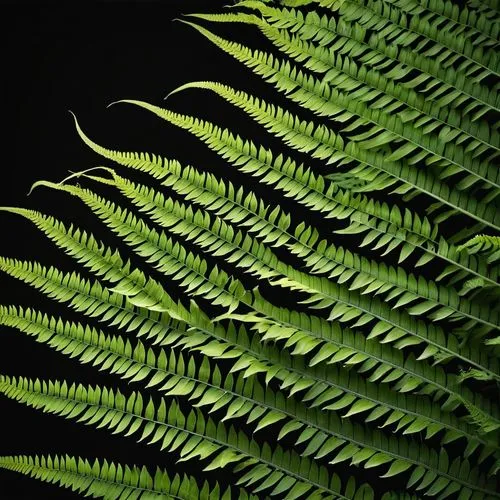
(82, 57)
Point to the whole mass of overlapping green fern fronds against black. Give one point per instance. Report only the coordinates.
(382, 361)
